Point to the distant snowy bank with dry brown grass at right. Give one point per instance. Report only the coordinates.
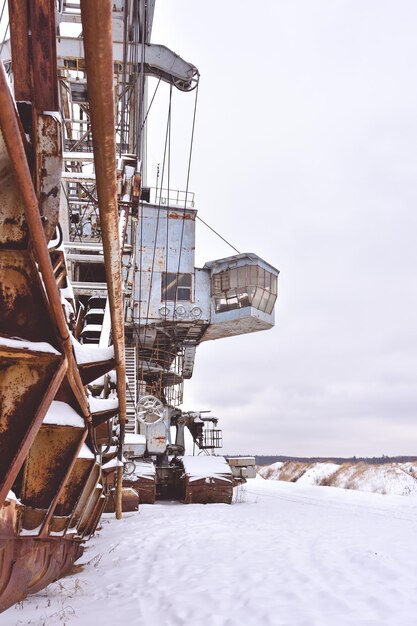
(388, 478)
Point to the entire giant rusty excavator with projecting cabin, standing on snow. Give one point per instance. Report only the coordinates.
(101, 305)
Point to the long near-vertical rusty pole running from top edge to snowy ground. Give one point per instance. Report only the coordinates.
(96, 16)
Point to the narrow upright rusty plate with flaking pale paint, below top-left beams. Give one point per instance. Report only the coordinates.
(49, 166)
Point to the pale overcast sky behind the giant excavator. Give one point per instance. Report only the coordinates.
(306, 154)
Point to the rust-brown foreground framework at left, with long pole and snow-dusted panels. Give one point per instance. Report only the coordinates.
(53, 480)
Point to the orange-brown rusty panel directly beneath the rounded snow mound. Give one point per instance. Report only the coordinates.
(47, 463)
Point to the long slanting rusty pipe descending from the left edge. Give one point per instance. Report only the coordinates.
(9, 124)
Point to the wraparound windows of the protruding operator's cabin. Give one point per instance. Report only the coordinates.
(249, 285)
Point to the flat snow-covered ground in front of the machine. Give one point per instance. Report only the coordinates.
(287, 554)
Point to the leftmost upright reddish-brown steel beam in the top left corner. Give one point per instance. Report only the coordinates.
(19, 29)
